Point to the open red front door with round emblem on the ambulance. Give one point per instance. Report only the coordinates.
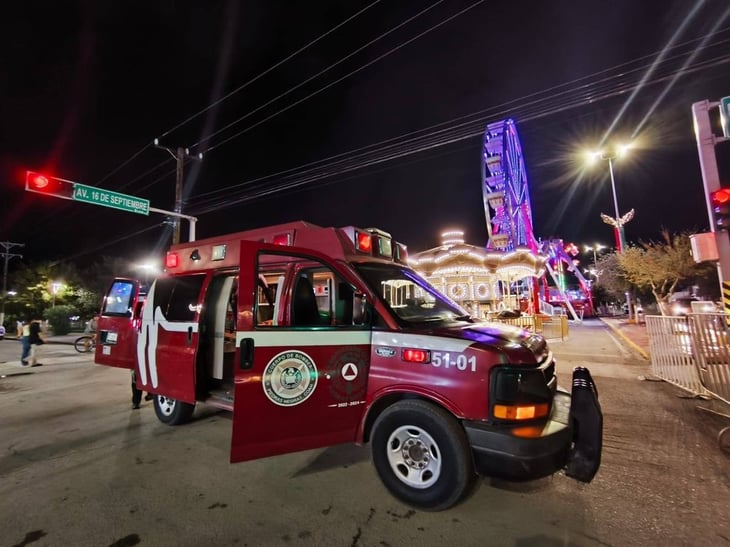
(303, 361)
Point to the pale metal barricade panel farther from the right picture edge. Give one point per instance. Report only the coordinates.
(671, 349)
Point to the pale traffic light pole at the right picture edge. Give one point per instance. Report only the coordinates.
(706, 141)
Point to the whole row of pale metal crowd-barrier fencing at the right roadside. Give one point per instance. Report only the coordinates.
(692, 352)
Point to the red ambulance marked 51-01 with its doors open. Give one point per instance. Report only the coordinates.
(317, 336)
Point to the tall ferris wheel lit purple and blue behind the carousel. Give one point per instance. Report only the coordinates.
(504, 187)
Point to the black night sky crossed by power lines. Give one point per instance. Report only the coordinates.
(87, 86)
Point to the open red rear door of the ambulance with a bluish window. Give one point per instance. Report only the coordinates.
(118, 324)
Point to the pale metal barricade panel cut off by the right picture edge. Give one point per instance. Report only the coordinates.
(711, 339)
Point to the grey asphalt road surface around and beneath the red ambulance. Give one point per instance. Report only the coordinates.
(79, 467)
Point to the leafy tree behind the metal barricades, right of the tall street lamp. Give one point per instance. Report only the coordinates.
(661, 265)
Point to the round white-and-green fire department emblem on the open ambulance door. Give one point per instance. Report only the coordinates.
(290, 378)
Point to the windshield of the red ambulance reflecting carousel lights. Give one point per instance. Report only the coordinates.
(410, 297)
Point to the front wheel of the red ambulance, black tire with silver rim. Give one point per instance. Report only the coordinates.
(422, 455)
